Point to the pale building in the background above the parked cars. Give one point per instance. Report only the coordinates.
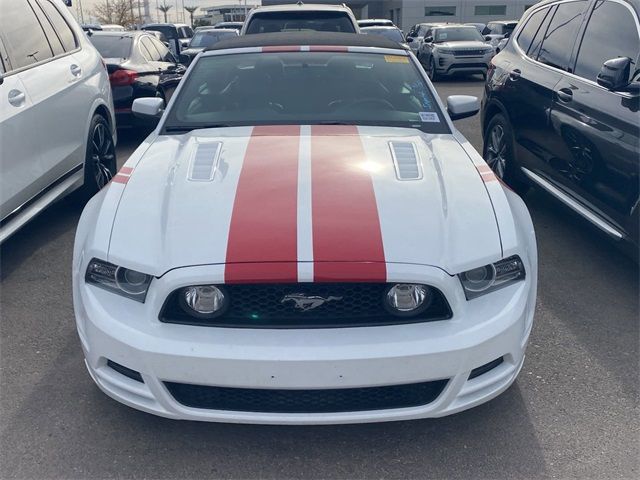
(406, 13)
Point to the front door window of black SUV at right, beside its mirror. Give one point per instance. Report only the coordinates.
(598, 43)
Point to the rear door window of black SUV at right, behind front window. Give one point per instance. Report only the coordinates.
(561, 34)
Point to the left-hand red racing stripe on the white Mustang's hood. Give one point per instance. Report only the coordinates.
(262, 244)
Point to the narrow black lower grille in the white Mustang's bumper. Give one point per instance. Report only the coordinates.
(306, 401)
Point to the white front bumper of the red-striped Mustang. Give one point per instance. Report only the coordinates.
(126, 332)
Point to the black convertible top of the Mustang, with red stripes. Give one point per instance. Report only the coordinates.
(305, 38)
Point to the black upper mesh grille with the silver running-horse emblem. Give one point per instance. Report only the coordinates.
(347, 305)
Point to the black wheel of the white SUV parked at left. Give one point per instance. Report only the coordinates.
(100, 160)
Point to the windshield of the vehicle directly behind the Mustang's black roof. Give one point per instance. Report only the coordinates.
(320, 21)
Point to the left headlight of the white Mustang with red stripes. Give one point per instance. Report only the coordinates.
(120, 280)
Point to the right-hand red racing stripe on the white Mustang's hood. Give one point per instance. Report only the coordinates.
(347, 241)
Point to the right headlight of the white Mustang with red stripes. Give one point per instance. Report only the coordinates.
(482, 280)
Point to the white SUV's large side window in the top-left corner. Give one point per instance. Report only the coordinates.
(23, 49)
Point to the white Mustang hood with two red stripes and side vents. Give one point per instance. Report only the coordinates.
(303, 194)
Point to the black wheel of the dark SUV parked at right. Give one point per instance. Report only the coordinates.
(498, 152)
